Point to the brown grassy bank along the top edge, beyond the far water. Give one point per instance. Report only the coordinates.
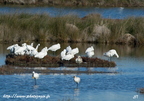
(102, 3)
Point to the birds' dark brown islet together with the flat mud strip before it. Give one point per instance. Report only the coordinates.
(26, 64)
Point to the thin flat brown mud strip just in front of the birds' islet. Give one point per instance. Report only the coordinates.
(9, 70)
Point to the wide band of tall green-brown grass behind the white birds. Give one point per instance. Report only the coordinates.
(68, 28)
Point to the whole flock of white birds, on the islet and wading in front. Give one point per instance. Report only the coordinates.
(66, 54)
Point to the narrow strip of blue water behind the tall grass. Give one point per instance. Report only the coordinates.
(114, 13)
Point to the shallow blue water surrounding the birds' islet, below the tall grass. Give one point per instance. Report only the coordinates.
(101, 87)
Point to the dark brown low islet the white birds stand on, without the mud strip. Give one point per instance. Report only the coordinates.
(51, 61)
